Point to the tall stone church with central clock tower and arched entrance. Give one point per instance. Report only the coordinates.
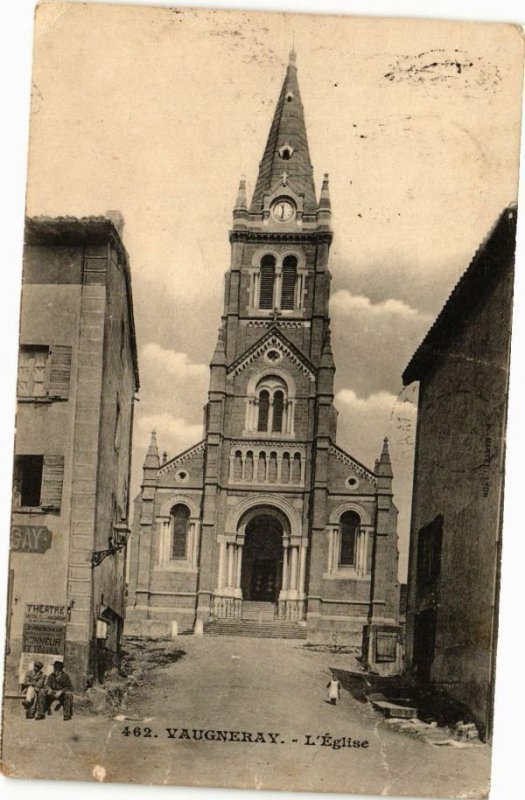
(267, 525)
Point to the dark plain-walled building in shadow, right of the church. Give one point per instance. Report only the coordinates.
(455, 541)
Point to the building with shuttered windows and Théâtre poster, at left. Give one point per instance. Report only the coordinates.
(77, 376)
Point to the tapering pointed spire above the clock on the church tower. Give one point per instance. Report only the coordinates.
(286, 150)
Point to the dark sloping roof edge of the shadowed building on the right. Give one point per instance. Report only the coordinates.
(493, 258)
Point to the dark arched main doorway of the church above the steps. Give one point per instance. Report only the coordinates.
(262, 559)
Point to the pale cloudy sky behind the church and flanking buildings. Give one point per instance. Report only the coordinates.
(158, 112)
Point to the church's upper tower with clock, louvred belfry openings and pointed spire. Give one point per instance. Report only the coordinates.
(280, 240)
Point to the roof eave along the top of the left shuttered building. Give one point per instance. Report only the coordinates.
(85, 230)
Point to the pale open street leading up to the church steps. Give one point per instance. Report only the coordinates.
(250, 686)
